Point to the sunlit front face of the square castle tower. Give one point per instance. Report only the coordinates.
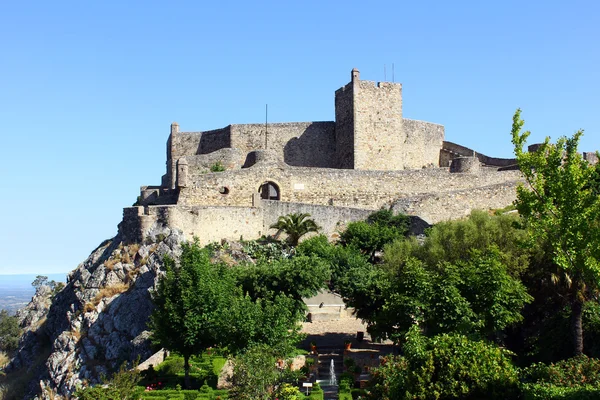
(379, 141)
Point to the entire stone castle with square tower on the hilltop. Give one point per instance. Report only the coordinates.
(236, 181)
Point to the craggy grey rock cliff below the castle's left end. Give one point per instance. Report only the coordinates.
(99, 320)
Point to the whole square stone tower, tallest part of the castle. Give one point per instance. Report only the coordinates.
(369, 134)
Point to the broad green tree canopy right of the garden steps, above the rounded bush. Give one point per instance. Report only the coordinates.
(475, 297)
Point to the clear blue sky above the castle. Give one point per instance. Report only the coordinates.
(88, 89)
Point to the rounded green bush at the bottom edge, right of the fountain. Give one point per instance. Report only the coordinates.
(447, 366)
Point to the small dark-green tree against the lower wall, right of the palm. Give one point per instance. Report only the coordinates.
(380, 228)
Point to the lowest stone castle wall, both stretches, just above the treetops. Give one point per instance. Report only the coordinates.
(213, 223)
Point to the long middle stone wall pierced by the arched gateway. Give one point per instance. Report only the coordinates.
(346, 188)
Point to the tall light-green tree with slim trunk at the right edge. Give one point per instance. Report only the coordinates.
(561, 206)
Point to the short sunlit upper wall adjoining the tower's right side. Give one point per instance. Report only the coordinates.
(423, 142)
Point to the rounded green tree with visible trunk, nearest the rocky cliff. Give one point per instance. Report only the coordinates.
(191, 304)
